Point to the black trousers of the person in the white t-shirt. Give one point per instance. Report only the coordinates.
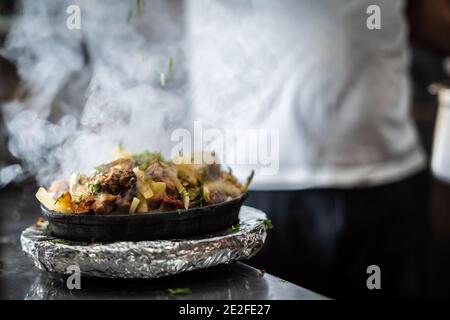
(324, 239)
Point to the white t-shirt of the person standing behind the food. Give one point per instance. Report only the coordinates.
(338, 93)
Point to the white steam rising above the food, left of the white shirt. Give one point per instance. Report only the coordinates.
(85, 91)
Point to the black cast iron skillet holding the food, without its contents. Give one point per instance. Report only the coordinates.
(145, 226)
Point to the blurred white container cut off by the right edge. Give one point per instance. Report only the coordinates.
(440, 162)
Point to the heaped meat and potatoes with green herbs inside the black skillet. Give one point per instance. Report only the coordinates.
(142, 183)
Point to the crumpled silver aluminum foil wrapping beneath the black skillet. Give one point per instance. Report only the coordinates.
(147, 259)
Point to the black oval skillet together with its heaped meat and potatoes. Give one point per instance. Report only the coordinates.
(143, 197)
